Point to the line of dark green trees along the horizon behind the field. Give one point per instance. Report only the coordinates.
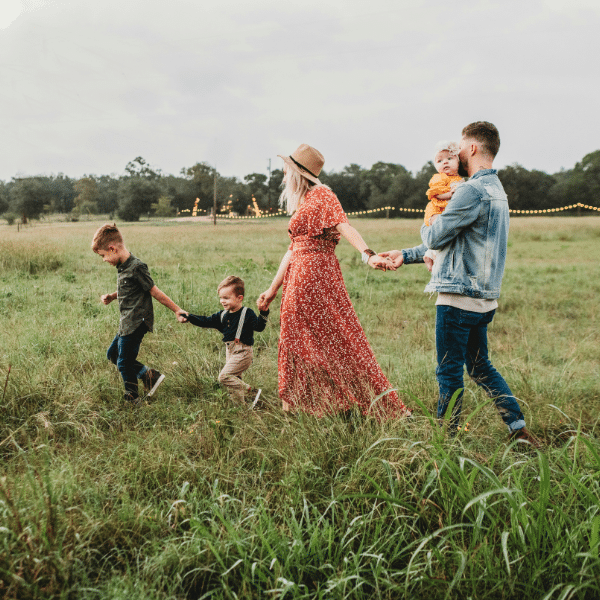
(144, 191)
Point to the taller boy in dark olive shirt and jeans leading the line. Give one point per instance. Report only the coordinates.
(135, 290)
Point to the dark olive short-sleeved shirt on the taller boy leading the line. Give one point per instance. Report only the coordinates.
(133, 293)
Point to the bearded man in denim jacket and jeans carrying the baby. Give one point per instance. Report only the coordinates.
(470, 238)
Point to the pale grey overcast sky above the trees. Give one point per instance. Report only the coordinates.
(85, 86)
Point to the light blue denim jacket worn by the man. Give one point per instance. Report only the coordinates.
(470, 238)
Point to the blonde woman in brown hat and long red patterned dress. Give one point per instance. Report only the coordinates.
(325, 362)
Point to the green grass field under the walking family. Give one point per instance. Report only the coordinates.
(193, 497)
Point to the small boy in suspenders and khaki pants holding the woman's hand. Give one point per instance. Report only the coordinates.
(237, 324)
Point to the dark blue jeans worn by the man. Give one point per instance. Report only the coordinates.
(461, 338)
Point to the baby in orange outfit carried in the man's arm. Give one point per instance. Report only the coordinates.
(441, 186)
